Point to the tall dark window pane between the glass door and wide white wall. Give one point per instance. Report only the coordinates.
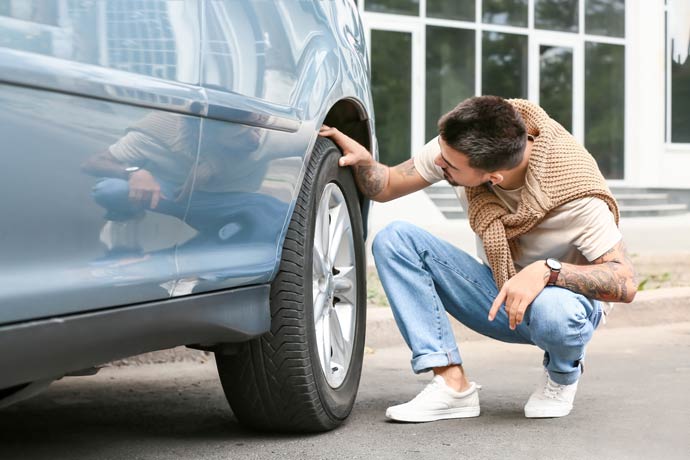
(605, 106)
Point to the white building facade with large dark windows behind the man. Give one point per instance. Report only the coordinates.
(616, 73)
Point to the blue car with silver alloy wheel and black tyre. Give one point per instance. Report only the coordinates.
(163, 184)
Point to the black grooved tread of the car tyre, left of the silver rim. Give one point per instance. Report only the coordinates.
(269, 383)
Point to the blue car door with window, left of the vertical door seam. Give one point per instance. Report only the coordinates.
(95, 94)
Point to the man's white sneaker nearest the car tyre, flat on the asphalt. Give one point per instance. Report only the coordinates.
(437, 402)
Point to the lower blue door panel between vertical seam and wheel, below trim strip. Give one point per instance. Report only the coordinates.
(240, 205)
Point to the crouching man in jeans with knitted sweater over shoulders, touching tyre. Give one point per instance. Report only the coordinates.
(548, 239)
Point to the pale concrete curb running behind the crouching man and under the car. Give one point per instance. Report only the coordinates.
(650, 308)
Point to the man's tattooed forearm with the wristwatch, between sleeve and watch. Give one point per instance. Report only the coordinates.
(610, 277)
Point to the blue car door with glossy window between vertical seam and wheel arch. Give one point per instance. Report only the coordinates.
(260, 62)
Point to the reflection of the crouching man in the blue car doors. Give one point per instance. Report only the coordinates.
(158, 165)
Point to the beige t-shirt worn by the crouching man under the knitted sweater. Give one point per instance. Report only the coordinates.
(576, 232)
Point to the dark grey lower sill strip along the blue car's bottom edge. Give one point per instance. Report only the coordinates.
(46, 349)
